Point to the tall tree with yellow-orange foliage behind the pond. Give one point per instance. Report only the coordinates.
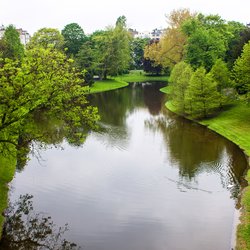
(170, 49)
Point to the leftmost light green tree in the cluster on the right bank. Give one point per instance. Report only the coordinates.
(179, 82)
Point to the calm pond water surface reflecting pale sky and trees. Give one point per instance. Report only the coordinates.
(147, 181)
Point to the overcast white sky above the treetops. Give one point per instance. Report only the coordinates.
(91, 15)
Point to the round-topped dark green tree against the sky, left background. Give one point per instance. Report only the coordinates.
(74, 37)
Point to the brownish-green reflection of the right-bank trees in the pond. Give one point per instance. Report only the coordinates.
(193, 149)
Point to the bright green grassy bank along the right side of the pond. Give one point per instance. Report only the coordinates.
(234, 124)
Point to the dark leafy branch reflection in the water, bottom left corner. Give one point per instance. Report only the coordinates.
(27, 230)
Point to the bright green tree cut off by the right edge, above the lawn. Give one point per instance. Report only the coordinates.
(241, 72)
